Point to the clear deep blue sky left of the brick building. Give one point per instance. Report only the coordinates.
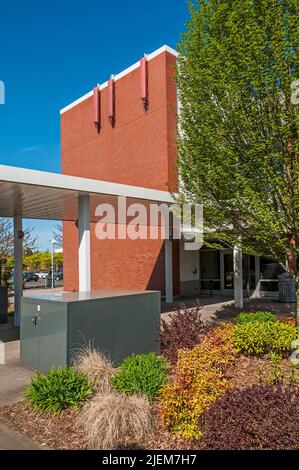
(52, 52)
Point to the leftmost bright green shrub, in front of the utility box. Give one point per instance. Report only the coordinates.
(59, 389)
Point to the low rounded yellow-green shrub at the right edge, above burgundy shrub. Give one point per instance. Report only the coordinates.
(257, 338)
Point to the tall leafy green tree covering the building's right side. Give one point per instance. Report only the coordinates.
(238, 139)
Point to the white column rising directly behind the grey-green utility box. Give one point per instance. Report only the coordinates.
(84, 244)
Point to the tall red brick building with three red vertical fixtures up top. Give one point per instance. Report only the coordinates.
(138, 149)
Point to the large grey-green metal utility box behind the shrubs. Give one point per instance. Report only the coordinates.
(118, 323)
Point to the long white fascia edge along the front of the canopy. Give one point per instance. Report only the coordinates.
(81, 185)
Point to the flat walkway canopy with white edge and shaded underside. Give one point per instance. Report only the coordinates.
(36, 194)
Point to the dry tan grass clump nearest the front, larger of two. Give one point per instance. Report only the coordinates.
(107, 420)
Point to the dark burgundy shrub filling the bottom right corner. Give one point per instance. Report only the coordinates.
(258, 417)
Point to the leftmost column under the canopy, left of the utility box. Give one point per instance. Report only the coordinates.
(18, 267)
